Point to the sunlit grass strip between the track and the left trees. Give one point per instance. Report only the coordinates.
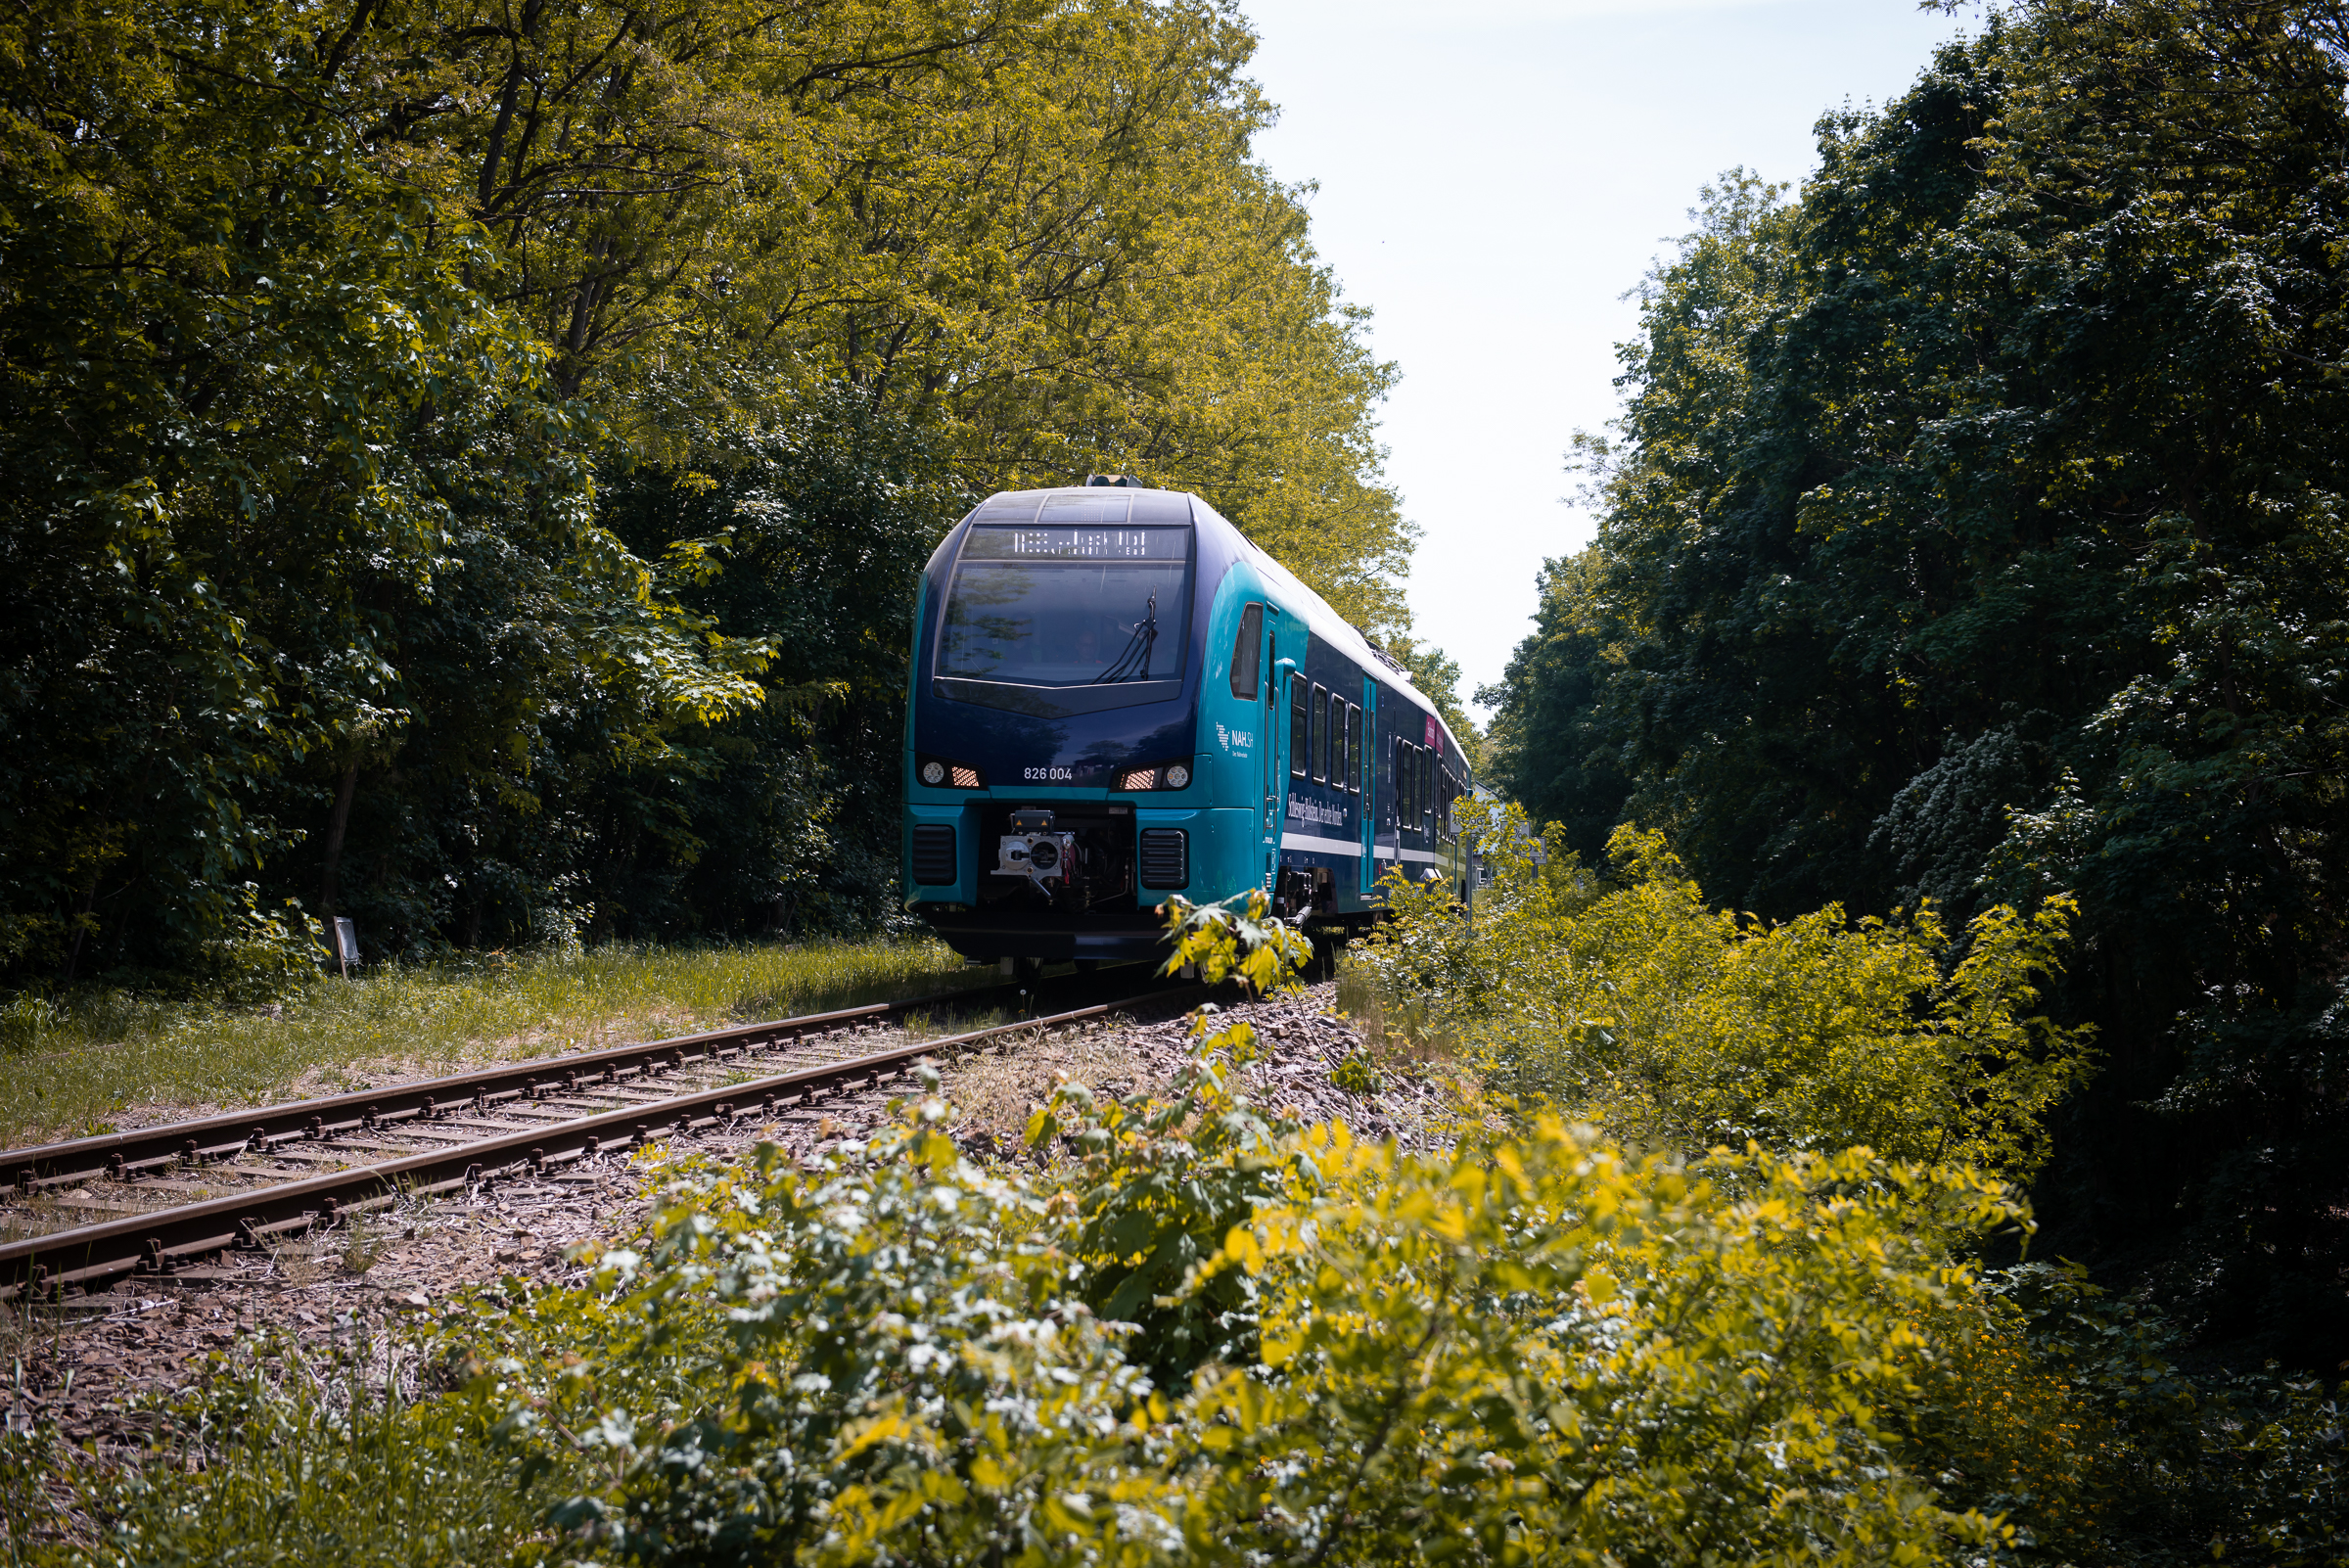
(79, 1065)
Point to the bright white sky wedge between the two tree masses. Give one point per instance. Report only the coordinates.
(1493, 177)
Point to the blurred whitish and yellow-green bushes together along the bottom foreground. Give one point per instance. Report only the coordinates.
(1521, 1351)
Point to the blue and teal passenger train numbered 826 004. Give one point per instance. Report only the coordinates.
(1117, 698)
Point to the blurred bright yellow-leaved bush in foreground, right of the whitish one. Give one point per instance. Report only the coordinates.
(1544, 1351)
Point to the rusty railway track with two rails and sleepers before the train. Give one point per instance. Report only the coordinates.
(161, 1201)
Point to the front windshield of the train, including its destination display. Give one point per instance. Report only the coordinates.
(1070, 607)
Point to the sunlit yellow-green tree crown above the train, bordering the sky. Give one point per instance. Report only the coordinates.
(1030, 229)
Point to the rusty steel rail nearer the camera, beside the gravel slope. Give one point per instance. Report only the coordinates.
(159, 1243)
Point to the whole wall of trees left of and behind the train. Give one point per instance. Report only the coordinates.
(466, 461)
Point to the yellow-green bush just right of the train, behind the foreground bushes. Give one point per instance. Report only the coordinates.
(1688, 1027)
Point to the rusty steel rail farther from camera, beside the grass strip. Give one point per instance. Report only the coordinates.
(154, 1149)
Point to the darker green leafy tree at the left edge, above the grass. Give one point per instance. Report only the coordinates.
(257, 421)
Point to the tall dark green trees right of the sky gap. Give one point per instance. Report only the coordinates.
(1974, 536)
